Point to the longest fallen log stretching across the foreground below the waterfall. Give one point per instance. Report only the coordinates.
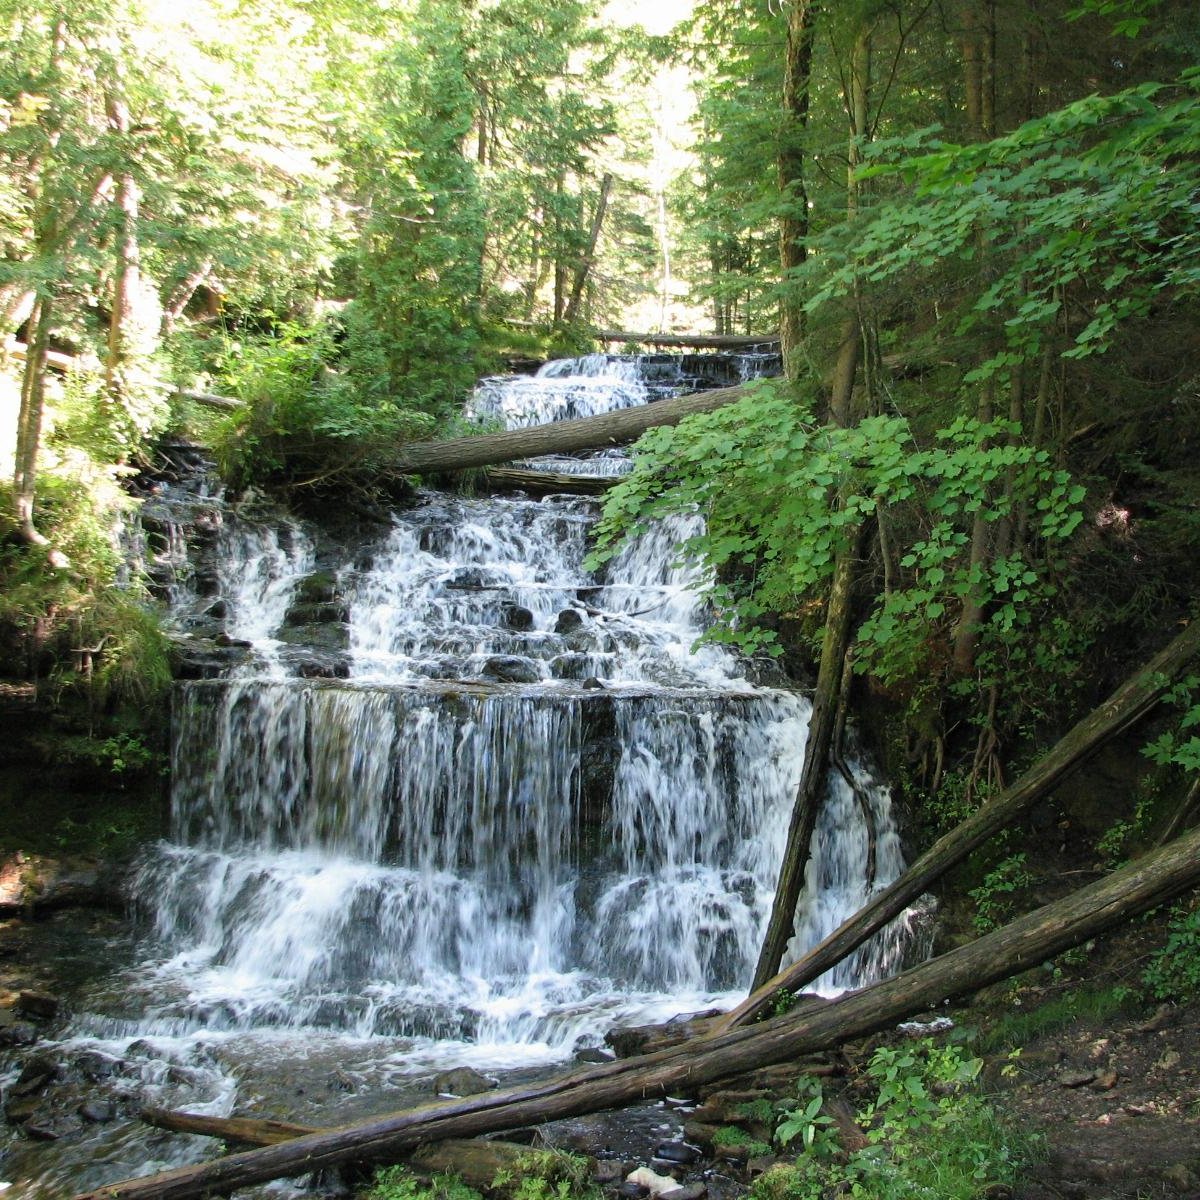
(1034, 939)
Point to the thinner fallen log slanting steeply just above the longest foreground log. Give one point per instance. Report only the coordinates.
(1126, 706)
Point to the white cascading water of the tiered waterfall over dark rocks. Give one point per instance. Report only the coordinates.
(505, 806)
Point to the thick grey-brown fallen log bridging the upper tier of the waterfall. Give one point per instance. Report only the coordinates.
(559, 437)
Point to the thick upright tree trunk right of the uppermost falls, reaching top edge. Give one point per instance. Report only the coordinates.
(794, 225)
